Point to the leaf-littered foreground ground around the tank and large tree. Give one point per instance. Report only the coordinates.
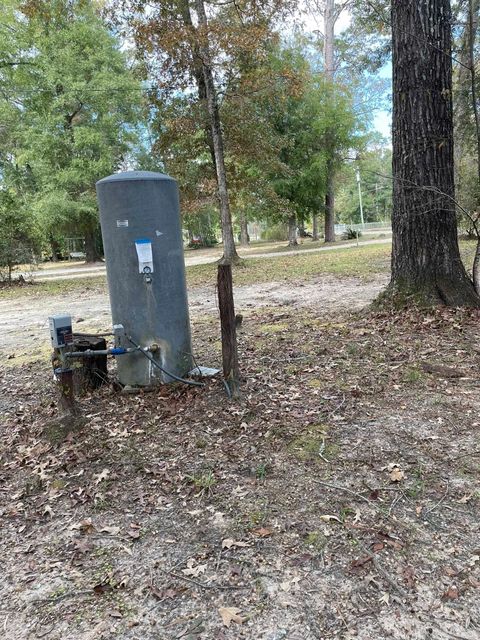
(338, 499)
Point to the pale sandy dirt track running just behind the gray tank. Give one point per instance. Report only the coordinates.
(24, 321)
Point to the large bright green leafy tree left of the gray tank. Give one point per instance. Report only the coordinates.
(77, 107)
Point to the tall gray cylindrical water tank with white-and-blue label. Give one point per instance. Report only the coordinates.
(142, 240)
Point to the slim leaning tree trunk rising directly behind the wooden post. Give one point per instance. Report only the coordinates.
(229, 250)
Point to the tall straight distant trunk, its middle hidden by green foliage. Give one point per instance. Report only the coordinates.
(329, 57)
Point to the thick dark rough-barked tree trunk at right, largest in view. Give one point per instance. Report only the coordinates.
(426, 259)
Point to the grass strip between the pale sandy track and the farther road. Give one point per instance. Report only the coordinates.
(365, 262)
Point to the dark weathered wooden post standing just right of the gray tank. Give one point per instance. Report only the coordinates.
(229, 332)
